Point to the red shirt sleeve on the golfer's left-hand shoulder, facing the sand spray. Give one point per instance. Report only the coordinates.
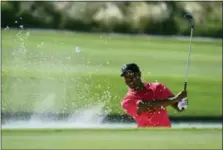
(129, 104)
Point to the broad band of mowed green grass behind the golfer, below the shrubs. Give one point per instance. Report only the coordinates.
(44, 70)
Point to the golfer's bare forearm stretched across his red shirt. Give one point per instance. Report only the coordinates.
(149, 105)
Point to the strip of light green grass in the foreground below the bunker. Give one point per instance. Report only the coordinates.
(112, 139)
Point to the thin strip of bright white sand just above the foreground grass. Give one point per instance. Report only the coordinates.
(35, 124)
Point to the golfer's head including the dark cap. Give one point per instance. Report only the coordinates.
(131, 74)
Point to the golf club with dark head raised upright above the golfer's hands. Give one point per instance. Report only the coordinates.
(191, 22)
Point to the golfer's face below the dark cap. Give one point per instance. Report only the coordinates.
(131, 79)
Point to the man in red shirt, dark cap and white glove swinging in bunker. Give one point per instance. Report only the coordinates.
(146, 102)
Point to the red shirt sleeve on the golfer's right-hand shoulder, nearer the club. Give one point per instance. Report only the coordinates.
(163, 92)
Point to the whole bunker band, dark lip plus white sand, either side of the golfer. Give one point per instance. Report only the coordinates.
(93, 118)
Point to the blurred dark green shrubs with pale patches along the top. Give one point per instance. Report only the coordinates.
(163, 18)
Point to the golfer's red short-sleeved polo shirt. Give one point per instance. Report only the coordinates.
(154, 118)
